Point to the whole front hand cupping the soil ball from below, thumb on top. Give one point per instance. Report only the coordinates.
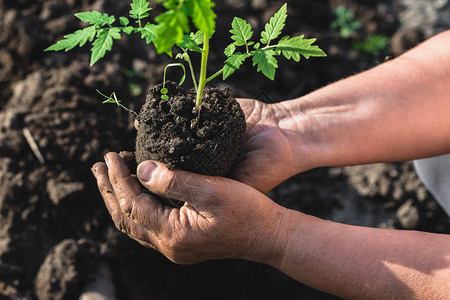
(221, 218)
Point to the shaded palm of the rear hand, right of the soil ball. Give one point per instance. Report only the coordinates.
(267, 158)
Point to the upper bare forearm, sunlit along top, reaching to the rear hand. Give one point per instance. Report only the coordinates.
(396, 111)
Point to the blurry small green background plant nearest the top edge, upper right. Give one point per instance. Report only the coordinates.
(345, 22)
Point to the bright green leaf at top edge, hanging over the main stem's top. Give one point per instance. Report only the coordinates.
(202, 15)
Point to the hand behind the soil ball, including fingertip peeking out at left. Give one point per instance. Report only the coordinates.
(271, 153)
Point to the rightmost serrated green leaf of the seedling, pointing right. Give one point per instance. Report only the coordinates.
(296, 46)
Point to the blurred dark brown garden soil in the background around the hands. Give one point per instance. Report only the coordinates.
(56, 204)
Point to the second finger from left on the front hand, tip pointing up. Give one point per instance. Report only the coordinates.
(137, 205)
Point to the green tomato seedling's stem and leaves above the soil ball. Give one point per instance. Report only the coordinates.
(170, 30)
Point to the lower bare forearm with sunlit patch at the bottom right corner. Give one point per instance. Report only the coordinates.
(364, 263)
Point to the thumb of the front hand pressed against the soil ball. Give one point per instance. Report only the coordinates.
(174, 184)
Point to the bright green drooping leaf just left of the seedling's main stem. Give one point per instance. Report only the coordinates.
(170, 30)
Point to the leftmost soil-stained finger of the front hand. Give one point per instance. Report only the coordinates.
(121, 221)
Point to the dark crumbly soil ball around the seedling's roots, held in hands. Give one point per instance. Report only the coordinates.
(205, 142)
